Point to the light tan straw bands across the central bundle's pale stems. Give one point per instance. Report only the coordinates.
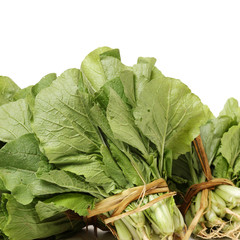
(118, 203)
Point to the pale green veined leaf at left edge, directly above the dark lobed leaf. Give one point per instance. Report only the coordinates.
(14, 120)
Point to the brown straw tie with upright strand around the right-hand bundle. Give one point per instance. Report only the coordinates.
(204, 187)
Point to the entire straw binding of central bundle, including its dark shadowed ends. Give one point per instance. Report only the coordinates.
(118, 203)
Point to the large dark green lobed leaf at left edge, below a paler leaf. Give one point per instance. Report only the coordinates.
(19, 162)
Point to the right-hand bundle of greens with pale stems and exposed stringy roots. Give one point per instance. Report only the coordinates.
(221, 138)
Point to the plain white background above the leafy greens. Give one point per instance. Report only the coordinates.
(195, 41)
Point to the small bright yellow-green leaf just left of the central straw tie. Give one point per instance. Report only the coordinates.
(79, 203)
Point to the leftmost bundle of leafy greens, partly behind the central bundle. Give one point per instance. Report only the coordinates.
(24, 214)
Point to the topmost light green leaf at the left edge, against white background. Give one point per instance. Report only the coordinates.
(7, 90)
